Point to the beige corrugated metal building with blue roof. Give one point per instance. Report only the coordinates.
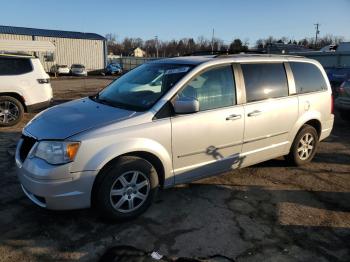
(88, 49)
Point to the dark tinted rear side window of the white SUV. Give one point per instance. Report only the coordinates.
(15, 66)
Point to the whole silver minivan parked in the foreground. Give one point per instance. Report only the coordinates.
(173, 121)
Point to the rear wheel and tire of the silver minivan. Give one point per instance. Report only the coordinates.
(300, 152)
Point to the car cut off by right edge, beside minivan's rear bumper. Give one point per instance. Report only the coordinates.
(342, 102)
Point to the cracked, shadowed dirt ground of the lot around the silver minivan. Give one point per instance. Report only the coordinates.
(267, 212)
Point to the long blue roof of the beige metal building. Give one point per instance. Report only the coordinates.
(13, 30)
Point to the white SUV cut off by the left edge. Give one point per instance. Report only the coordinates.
(24, 87)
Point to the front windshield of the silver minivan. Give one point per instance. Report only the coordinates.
(142, 87)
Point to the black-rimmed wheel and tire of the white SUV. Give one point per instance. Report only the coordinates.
(11, 111)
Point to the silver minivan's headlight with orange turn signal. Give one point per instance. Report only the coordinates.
(57, 152)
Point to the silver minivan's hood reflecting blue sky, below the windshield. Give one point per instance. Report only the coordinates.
(68, 119)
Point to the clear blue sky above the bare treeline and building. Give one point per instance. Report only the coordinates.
(175, 19)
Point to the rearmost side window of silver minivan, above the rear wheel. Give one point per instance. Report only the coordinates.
(307, 77)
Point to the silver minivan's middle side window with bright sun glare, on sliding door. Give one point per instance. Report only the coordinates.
(263, 81)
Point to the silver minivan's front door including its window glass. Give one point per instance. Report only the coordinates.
(209, 141)
